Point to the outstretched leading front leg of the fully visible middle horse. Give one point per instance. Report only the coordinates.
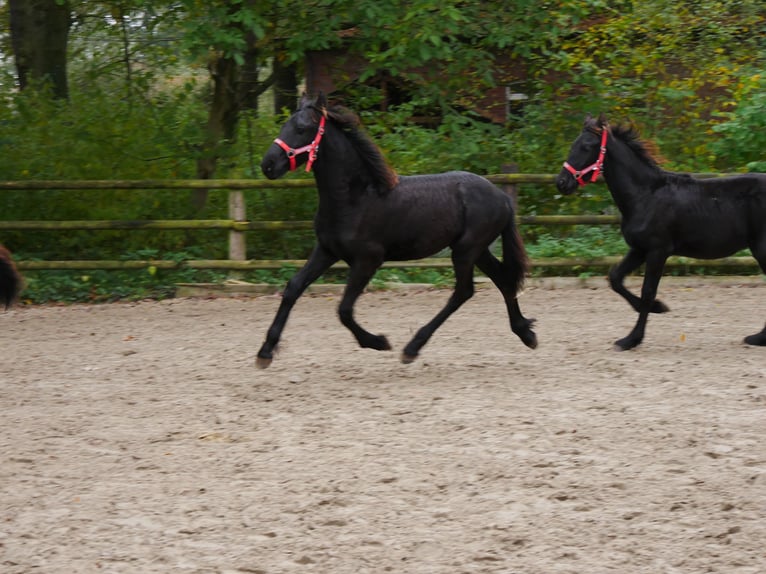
(318, 262)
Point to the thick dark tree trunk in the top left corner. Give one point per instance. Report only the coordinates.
(39, 36)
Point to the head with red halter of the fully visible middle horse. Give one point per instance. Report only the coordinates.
(298, 139)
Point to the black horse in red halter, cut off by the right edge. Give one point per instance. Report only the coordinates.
(665, 213)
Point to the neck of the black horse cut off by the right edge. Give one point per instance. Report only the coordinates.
(629, 178)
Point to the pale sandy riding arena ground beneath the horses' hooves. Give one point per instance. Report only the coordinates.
(141, 438)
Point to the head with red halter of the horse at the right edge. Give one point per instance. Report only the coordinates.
(585, 156)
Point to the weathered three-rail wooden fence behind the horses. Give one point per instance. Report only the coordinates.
(238, 226)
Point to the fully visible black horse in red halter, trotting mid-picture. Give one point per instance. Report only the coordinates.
(368, 215)
